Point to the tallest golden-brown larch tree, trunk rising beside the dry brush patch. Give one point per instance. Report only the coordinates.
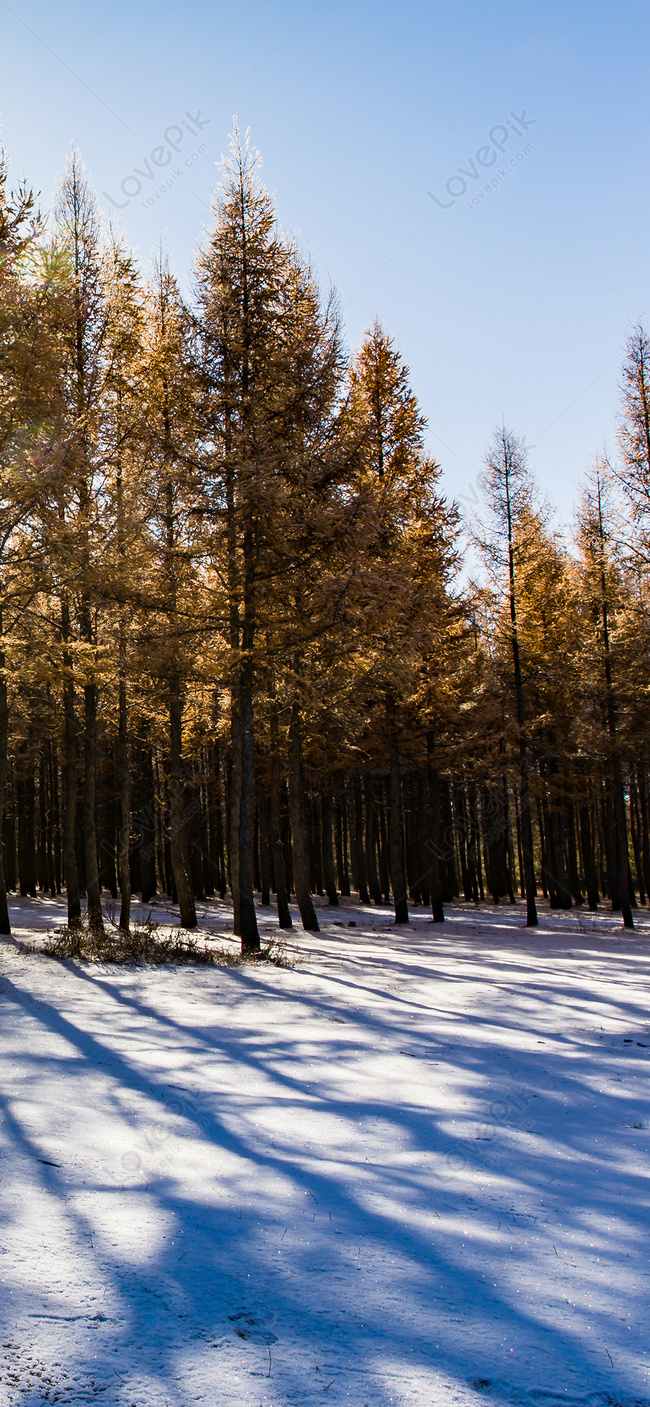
(271, 365)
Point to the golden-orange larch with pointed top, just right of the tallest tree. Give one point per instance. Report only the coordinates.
(410, 561)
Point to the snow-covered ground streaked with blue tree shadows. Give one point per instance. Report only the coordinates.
(410, 1170)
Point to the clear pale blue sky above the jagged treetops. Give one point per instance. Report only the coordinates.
(510, 289)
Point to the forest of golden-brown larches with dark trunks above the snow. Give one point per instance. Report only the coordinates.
(250, 649)
